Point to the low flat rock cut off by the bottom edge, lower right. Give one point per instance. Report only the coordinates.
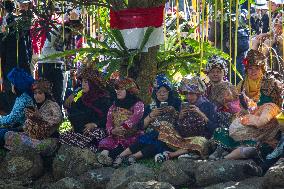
(251, 183)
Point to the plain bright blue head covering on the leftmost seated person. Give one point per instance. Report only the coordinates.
(20, 79)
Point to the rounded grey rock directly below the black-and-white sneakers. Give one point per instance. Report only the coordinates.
(171, 172)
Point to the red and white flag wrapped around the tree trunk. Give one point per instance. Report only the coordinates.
(133, 24)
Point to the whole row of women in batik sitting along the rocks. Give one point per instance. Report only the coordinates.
(217, 120)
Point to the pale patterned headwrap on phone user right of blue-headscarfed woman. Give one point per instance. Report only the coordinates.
(192, 85)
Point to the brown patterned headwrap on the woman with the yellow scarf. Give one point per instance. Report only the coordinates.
(255, 58)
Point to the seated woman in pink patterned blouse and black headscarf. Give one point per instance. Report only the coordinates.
(123, 121)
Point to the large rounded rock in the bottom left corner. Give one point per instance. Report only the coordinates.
(22, 164)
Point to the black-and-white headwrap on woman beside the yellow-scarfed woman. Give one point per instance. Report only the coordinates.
(216, 62)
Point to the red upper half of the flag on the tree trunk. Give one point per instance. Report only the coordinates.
(137, 18)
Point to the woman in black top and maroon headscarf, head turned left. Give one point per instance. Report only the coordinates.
(88, 113)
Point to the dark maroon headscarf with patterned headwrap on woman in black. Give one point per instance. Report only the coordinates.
(96, 88)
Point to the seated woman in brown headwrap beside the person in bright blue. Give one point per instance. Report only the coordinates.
(42, 121)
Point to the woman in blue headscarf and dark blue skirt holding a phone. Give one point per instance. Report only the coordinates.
(148, 145)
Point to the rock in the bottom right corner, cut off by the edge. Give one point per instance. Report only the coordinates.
(275, 175)
